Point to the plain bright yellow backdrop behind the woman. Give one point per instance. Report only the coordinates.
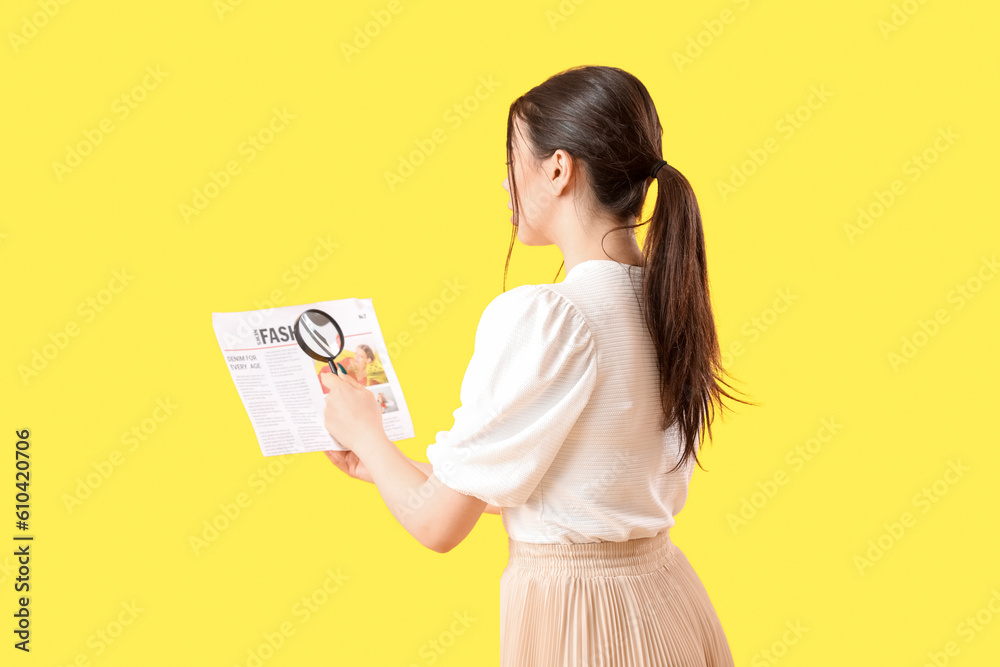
(871, 341)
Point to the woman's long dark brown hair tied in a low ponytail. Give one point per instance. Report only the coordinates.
(606, 120)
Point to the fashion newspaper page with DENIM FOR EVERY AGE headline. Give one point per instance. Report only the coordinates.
(281, 386)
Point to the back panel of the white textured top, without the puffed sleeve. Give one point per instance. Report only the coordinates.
(608, 481)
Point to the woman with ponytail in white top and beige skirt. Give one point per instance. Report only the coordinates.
(588, 451)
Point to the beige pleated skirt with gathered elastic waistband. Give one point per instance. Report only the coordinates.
(607, 604)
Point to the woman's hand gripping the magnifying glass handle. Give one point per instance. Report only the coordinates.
(352, 414)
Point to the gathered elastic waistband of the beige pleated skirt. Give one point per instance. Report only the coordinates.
(636, 556)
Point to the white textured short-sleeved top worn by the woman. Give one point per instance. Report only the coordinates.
(559, 417)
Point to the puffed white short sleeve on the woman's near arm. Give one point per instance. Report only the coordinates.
(532, 372)
